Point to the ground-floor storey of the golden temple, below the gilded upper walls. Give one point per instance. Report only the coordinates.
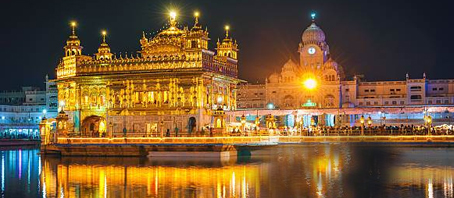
(94, 124)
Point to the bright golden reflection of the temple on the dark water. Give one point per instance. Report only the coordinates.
(63, 179)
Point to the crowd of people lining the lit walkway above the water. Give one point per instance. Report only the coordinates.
(295, 131)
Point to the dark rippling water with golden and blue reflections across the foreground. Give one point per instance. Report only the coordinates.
(318, 170)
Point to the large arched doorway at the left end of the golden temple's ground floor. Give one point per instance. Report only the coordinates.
(93, 126)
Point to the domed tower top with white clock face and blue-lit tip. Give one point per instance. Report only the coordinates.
(313, 49)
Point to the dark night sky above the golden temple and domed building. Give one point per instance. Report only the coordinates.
(381, 39)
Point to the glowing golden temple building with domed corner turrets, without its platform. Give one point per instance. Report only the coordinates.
(174, 81)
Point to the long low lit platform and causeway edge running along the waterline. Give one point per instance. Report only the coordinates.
(210, 146)
